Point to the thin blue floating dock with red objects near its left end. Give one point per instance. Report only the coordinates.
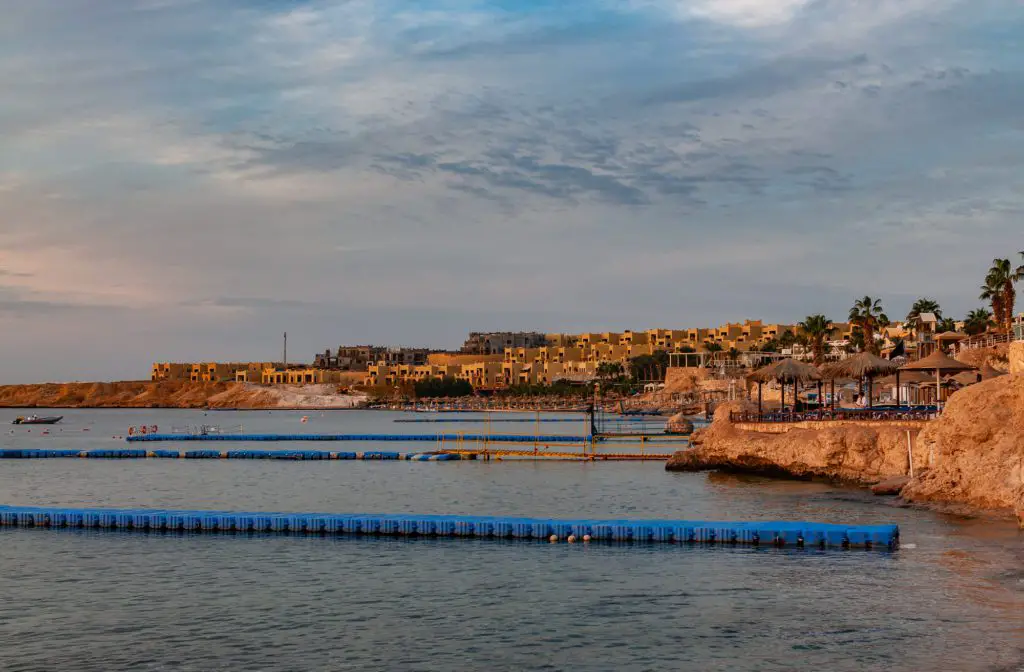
(507, 439)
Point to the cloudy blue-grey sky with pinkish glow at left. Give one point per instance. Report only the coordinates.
(187, 180)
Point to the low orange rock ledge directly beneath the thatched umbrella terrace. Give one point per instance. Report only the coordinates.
(845, 452)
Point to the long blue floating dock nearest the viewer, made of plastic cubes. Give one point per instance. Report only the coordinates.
(796, 535)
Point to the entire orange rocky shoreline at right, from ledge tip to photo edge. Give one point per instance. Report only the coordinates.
(970, 459)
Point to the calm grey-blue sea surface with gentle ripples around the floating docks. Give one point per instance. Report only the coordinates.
(953, 599)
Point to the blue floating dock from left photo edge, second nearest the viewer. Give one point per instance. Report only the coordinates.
(139, 454)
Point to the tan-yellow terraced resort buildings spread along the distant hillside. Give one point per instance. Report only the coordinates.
(497, 360)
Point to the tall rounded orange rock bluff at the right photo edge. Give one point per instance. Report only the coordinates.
(978, 448)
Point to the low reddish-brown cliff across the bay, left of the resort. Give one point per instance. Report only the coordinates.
(173, 395)
